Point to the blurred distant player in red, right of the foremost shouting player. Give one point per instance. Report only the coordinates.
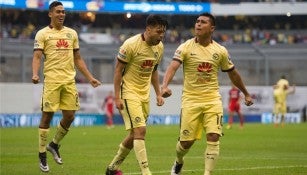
(234, 106)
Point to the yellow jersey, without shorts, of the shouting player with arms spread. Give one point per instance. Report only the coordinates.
(200, 71)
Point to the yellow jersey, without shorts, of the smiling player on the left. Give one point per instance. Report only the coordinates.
(58, 47)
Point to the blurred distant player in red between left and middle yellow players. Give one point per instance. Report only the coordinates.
(108, 107)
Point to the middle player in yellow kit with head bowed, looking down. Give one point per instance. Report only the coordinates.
(135, 70)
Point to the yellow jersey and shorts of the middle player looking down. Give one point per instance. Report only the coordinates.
(141, 60)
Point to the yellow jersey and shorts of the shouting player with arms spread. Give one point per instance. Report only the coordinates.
(201, 100)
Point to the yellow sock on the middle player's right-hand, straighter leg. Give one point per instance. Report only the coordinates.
(141, 156)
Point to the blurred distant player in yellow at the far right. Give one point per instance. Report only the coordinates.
(281, 91)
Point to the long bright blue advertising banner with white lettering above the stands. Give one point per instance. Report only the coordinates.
(113, 7)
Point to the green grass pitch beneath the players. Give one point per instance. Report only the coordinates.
(255, 150)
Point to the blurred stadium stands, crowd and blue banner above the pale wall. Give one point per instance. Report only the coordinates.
(266, 38)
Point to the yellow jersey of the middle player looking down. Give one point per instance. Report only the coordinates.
(141, 59)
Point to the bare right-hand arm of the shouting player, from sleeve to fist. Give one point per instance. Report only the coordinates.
(237, 81)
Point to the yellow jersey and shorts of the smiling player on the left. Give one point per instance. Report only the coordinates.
(59, 90)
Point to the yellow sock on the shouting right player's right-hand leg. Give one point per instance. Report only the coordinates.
(211, 156)
